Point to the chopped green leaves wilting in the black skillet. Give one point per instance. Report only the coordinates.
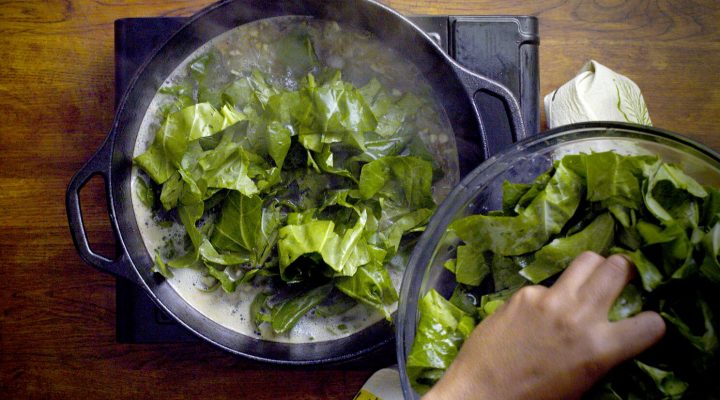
(307, 190)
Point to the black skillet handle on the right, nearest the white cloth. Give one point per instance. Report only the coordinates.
(497, 133)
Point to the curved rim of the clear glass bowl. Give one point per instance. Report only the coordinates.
(416, 273)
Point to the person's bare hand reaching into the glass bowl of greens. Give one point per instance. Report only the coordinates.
(552, 343)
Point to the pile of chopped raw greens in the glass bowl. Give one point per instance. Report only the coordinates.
(651, 211)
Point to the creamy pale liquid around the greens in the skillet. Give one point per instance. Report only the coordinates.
(232, 310)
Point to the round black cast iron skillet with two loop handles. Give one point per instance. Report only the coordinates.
(453, 85)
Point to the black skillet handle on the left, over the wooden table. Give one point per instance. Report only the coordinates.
(99, 164)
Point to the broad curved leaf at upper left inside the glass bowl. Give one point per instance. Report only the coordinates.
(545, 216)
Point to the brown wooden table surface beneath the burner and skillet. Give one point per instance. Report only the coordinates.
(57, 314)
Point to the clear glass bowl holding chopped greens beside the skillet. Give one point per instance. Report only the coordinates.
(481, 191)
